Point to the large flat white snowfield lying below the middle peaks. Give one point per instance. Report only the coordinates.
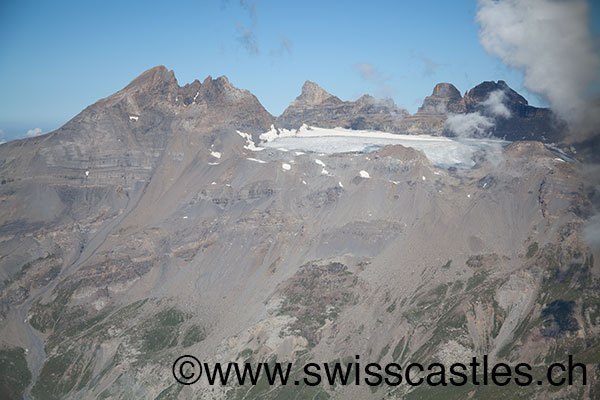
(441, 151)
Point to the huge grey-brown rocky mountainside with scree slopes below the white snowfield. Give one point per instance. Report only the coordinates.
(152, 225)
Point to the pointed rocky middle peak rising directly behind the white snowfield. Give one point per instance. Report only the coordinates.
(316, 107)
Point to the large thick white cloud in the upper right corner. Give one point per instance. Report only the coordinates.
(550, 41)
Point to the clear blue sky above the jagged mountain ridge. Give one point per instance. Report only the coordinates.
(58, 57)
